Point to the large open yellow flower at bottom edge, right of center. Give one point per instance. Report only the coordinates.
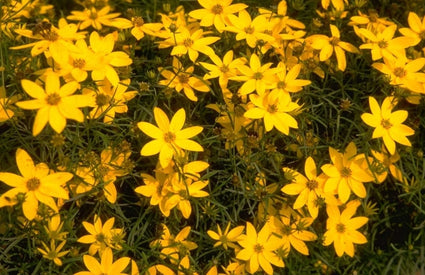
(258, 250)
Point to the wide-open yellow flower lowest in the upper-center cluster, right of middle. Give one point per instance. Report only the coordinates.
(274, 109)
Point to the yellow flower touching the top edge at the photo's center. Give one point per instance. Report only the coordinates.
(215, 12)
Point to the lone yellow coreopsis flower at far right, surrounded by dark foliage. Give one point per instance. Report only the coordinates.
(387, 124)
